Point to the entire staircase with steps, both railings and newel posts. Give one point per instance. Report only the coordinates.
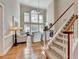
(59, 47)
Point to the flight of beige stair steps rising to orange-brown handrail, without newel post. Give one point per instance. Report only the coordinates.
(57, 48)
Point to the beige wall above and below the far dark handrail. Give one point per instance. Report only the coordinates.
(60, 7)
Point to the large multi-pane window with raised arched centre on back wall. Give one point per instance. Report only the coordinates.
(33, 24)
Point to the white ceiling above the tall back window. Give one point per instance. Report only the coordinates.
(42, 3)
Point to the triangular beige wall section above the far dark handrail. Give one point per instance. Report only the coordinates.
(61, 6)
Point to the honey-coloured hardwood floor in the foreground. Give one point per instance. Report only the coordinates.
(18, 52)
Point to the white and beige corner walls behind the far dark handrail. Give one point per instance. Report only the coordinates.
(55, 9)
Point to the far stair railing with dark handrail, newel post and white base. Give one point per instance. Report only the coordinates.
(47, 29)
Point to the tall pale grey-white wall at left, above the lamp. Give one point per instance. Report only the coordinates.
(11, 9)
